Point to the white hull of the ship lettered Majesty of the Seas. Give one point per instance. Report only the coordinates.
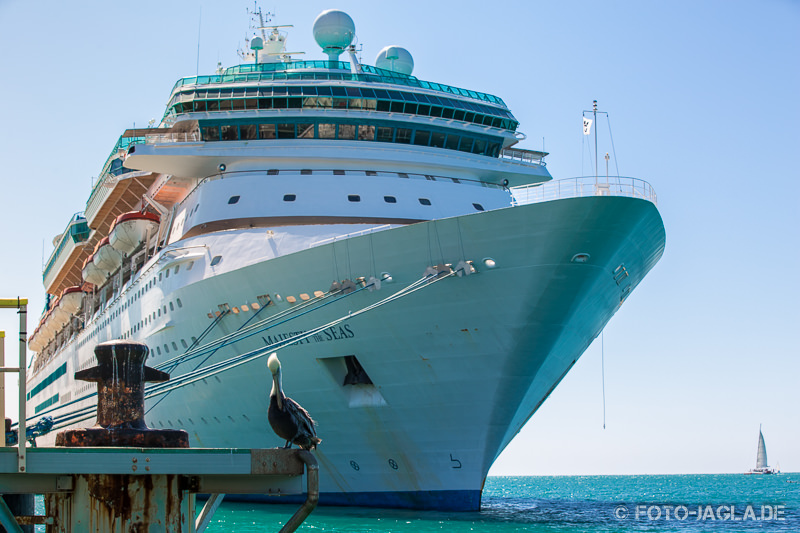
(457, 367)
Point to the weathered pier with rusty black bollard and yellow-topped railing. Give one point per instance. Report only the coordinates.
(120, 475)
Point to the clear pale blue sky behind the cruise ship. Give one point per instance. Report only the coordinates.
(703, 101)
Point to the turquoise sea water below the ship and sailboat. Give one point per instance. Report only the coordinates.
(566, 504)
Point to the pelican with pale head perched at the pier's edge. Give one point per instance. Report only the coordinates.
(288, 419)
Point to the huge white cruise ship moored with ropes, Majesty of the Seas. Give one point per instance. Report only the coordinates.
(425, 281)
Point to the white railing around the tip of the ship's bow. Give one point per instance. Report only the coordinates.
(583, 186)
